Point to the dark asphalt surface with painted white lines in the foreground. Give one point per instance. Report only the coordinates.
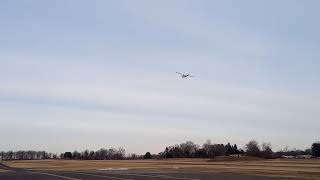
(18, 174)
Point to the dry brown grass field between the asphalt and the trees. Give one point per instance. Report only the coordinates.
(278, 167)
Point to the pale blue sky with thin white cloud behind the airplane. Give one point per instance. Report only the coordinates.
(90, 74)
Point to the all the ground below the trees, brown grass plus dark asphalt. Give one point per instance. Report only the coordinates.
(187, 169)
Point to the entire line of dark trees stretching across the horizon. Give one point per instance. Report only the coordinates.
(184, 150)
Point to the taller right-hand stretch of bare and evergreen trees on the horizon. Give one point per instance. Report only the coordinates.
(252, 148)
